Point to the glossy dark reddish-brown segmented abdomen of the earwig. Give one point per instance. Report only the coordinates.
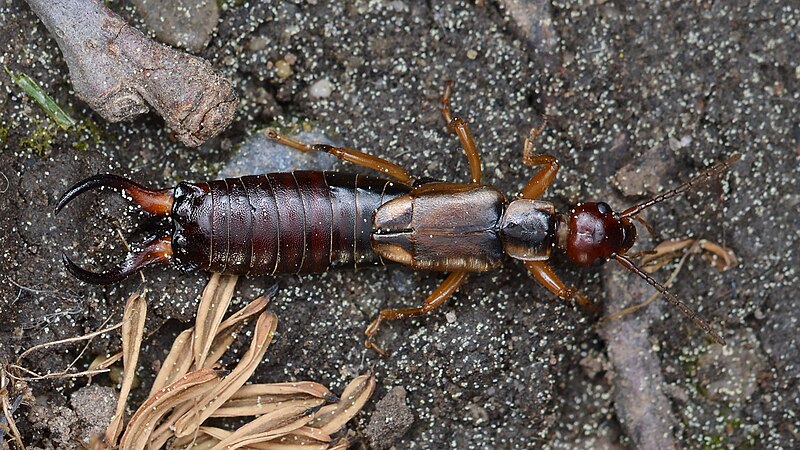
(299, 222)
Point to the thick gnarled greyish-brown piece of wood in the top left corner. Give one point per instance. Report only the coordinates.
(118, 71)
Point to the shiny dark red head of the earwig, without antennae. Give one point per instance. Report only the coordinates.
(595, 234)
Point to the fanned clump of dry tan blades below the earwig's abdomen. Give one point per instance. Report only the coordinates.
(284, 410)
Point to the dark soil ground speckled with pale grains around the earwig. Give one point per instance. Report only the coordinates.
(652, 92)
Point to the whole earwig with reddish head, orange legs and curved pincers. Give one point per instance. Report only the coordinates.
(309, 222)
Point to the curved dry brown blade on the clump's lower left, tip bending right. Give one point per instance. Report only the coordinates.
(191, 386)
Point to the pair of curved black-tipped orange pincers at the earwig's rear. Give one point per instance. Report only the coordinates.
(158, 202)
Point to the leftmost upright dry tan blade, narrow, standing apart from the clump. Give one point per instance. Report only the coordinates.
(132, 333)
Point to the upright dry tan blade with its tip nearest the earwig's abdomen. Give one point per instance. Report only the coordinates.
(212, 308)
